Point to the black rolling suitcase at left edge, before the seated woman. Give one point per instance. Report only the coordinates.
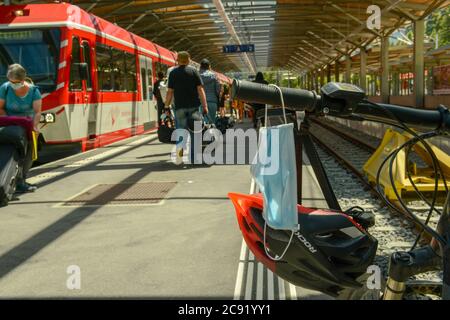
(9, 170)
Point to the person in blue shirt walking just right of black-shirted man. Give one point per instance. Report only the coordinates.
(212, 89)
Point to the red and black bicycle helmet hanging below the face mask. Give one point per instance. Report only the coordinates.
(329, 252)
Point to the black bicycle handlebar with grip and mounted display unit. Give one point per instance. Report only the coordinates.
(341, 100)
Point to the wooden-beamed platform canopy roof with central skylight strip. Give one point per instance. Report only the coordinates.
(293, 34)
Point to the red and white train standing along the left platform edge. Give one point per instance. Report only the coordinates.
(95, 76)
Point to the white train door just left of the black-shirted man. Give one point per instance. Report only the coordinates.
(148, 115)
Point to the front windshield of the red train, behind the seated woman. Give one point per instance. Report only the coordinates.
(36, 50)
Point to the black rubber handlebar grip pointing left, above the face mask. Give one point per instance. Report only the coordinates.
(252, 92)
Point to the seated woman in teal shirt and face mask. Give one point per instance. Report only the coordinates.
(20, 98)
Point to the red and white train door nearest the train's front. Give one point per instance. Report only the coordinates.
(81, 90)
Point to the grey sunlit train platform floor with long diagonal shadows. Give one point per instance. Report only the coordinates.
(137, 226)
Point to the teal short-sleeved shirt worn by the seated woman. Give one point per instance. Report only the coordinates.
(19, 106)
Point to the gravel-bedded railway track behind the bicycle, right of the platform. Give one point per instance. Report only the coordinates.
(343, 156)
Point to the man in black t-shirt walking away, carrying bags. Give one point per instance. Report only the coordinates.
(186, 86)
